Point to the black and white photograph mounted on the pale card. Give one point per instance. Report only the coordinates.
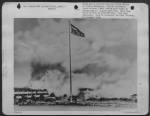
(75, 64)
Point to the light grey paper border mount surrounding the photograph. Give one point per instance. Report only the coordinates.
(9, 12)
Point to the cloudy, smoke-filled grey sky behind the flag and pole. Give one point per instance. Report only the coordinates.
(104, 60)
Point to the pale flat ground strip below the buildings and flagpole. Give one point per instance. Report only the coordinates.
(107, 105)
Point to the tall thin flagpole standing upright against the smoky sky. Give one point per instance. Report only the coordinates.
(70, 65)
